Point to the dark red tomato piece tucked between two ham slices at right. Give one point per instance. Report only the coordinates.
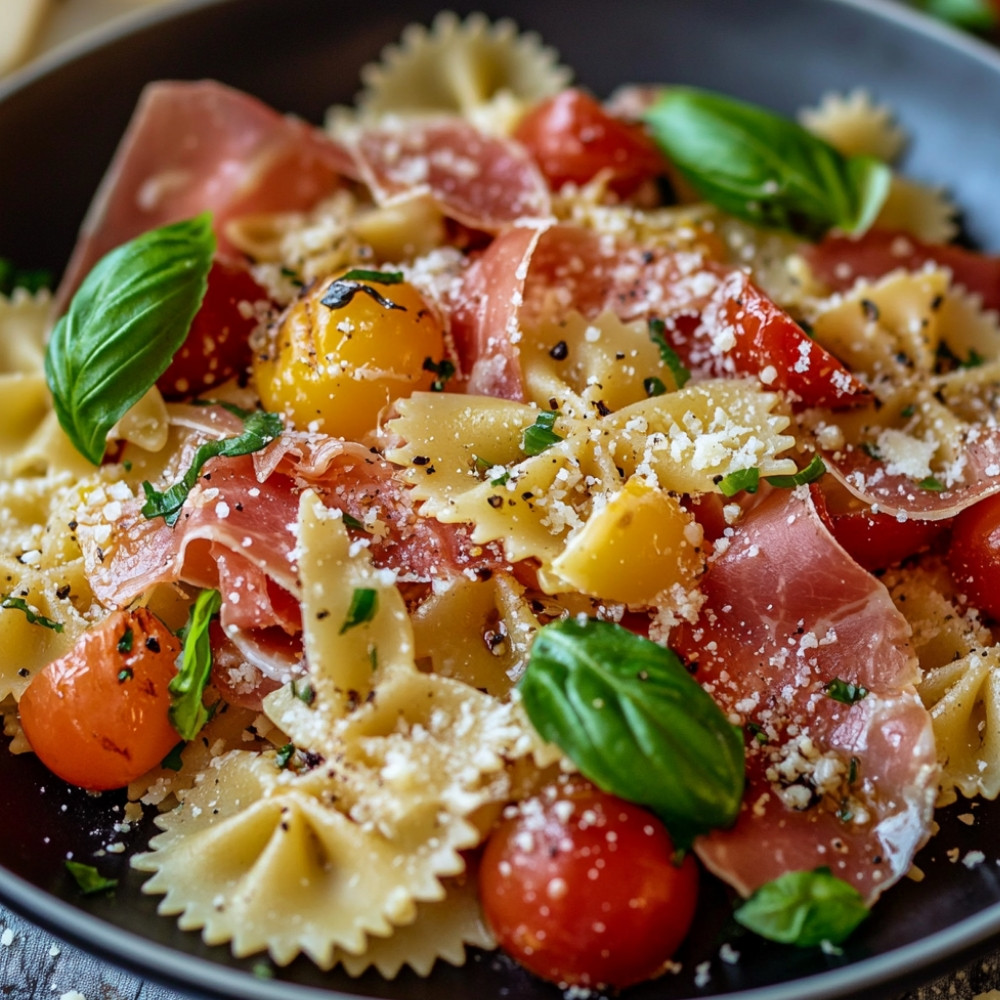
(875, 540)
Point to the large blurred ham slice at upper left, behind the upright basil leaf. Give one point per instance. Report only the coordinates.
(201, 146)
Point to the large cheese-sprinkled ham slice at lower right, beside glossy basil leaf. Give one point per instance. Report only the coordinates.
(830, 783)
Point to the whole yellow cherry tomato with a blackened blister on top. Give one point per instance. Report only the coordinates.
(335, 367)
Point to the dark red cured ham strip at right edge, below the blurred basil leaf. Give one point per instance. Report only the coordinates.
(838, 261)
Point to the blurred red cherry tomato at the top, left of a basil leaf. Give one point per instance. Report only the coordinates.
(572, 137)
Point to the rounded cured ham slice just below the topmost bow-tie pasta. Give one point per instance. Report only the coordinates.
(481, 181)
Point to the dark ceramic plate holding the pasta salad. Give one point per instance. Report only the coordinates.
(59, 123)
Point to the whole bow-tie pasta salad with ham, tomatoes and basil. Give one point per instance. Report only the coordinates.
(468, 521)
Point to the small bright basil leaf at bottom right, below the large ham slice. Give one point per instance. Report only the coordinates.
(804, 908)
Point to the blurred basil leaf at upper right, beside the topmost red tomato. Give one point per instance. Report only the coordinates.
(763, 168)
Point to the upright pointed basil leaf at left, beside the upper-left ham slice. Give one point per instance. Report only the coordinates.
(126, 321)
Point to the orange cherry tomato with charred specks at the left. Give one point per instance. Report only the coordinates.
(97, 717)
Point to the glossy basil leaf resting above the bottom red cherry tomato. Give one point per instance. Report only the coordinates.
(635, 723)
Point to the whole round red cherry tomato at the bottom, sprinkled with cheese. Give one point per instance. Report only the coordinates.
(582, 889)
